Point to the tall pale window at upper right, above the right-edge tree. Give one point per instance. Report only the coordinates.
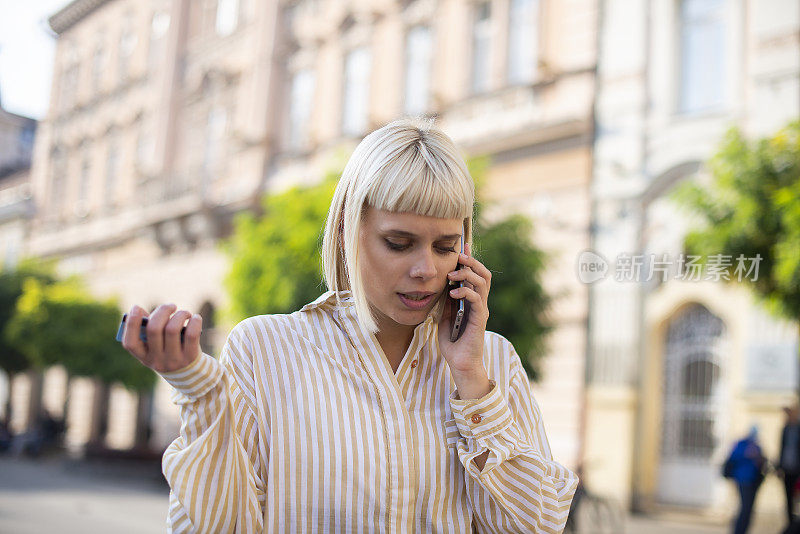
(702, 55)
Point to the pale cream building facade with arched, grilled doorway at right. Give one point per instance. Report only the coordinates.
(697, 361)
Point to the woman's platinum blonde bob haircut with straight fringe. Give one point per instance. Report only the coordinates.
(406, 166)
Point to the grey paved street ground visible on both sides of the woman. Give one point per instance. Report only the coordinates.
(57, 494)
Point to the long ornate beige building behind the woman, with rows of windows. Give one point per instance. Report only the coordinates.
(168, 117)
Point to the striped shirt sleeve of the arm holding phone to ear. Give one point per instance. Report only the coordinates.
(520, 488)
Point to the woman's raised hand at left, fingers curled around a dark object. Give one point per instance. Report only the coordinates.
(163, 351)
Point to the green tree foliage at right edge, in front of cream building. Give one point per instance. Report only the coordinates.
(752, 207)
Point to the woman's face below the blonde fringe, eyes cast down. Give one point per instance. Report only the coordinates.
(404, 263)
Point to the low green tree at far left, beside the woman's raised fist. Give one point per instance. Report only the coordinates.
(60, 323)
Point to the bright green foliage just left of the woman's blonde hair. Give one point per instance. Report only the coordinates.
(276, 263)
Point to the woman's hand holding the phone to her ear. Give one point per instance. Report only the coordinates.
(465, 355)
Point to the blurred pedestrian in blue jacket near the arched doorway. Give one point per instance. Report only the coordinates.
(745, 465)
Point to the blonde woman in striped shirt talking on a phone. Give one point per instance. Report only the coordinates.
(357, 413)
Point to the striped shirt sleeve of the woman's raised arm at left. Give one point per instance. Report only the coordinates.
(214, 471)
